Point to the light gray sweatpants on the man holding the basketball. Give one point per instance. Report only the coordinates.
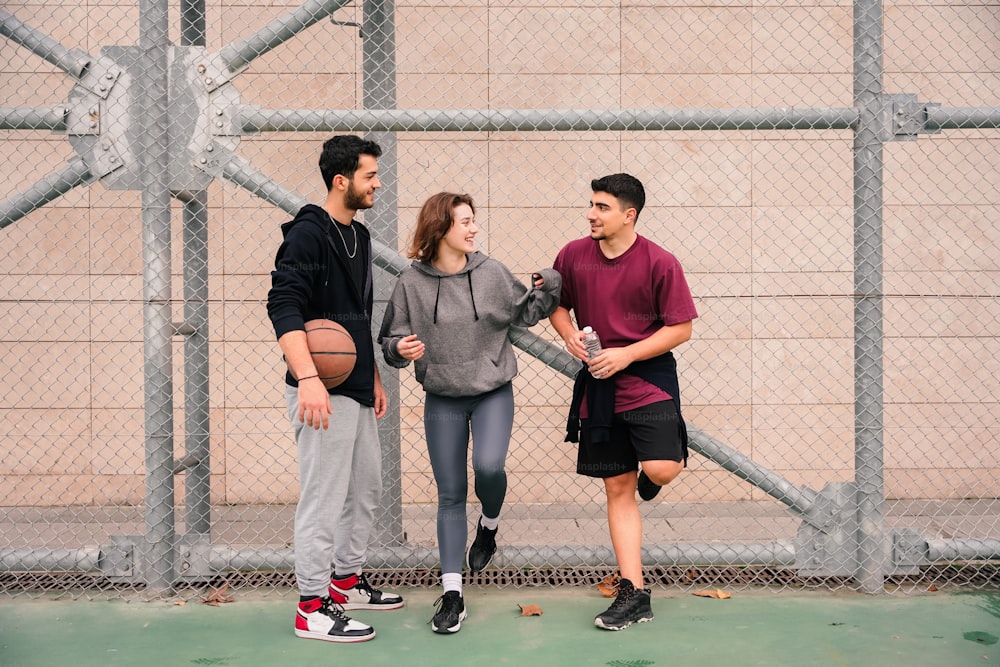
(340, 483)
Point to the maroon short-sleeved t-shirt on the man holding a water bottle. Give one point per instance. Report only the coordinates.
(625, 300)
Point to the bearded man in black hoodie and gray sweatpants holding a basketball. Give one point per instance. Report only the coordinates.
(323, 270)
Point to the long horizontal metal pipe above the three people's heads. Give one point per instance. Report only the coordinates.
(251, 119)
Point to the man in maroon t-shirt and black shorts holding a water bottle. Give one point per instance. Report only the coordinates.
(634, 295)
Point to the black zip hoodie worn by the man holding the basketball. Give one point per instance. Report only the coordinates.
(312, 280)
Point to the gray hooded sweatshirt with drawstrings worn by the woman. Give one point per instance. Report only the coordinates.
(462, 319)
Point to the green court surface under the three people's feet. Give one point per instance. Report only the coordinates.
(750, 628)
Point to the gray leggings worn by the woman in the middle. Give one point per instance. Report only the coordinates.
(446, 425)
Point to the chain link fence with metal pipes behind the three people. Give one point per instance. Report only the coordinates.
(826, 172)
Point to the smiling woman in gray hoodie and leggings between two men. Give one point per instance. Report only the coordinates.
(450, 313)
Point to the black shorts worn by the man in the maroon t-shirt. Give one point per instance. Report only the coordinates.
(649, 433)
